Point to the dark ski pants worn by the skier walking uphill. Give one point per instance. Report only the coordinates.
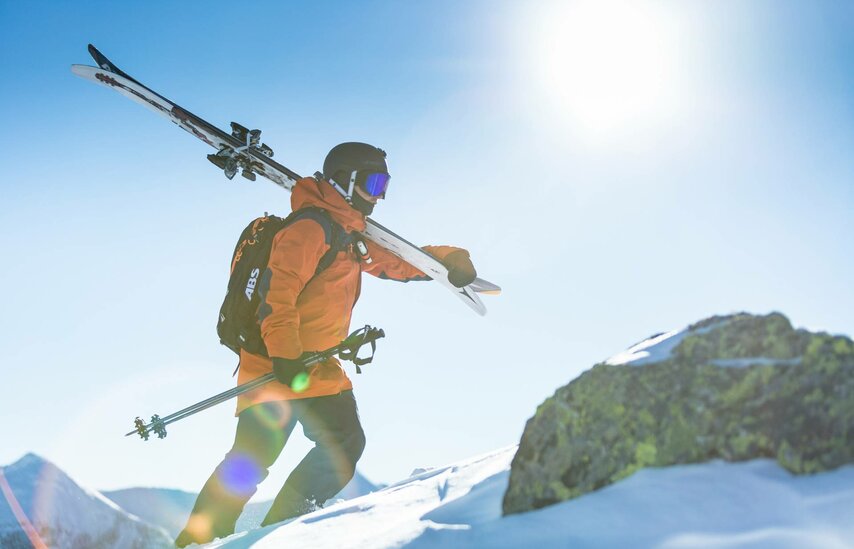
(331, 422)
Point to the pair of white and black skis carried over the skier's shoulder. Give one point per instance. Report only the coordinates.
(241, 151)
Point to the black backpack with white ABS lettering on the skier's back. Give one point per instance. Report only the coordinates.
(238, 326)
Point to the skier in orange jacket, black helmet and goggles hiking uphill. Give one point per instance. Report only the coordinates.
(303, 311)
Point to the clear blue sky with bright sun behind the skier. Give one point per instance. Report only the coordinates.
(621, 169)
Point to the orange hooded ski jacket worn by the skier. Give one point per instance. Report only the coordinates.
(302, 312)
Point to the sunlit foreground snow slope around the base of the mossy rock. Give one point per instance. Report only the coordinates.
(717, 504)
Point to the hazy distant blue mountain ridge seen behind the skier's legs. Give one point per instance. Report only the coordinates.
(169, 509)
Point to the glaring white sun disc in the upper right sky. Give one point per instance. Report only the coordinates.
(608, 66)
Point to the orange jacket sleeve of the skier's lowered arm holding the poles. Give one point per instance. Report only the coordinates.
(296, 251)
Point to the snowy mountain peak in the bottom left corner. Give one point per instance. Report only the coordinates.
(41, 506)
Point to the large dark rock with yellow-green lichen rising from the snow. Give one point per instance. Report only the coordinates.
(733, 388)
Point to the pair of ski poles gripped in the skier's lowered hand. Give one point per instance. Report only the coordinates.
(346, 350)
